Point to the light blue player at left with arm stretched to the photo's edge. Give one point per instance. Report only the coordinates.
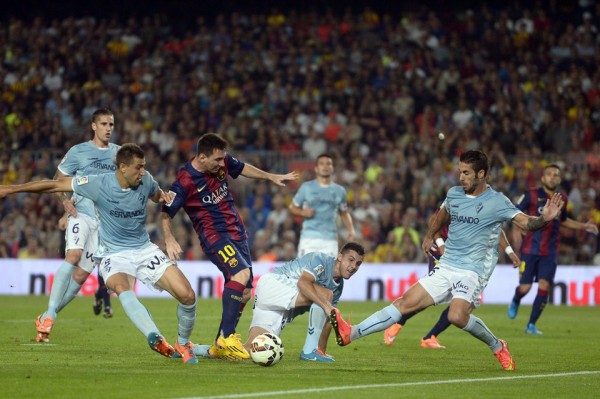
(125, 251)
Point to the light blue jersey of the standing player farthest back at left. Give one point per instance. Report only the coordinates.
(87, 159)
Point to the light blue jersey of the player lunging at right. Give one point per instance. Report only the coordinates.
(474, 230)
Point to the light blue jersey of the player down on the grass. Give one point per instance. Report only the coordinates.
(320, 265)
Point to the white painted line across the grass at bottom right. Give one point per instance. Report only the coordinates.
(391, 385)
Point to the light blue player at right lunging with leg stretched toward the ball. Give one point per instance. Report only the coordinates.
(475, 213)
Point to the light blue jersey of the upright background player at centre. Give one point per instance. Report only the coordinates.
(326, 201)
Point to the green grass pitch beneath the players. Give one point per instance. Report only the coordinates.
(93, 357)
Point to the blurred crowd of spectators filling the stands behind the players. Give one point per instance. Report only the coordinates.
(394, 97)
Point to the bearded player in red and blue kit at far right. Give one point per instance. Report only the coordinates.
(539, 249)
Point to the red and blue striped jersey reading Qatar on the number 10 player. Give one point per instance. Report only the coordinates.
(208, 202)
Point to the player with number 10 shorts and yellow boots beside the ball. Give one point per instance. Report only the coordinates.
(202, 190)
